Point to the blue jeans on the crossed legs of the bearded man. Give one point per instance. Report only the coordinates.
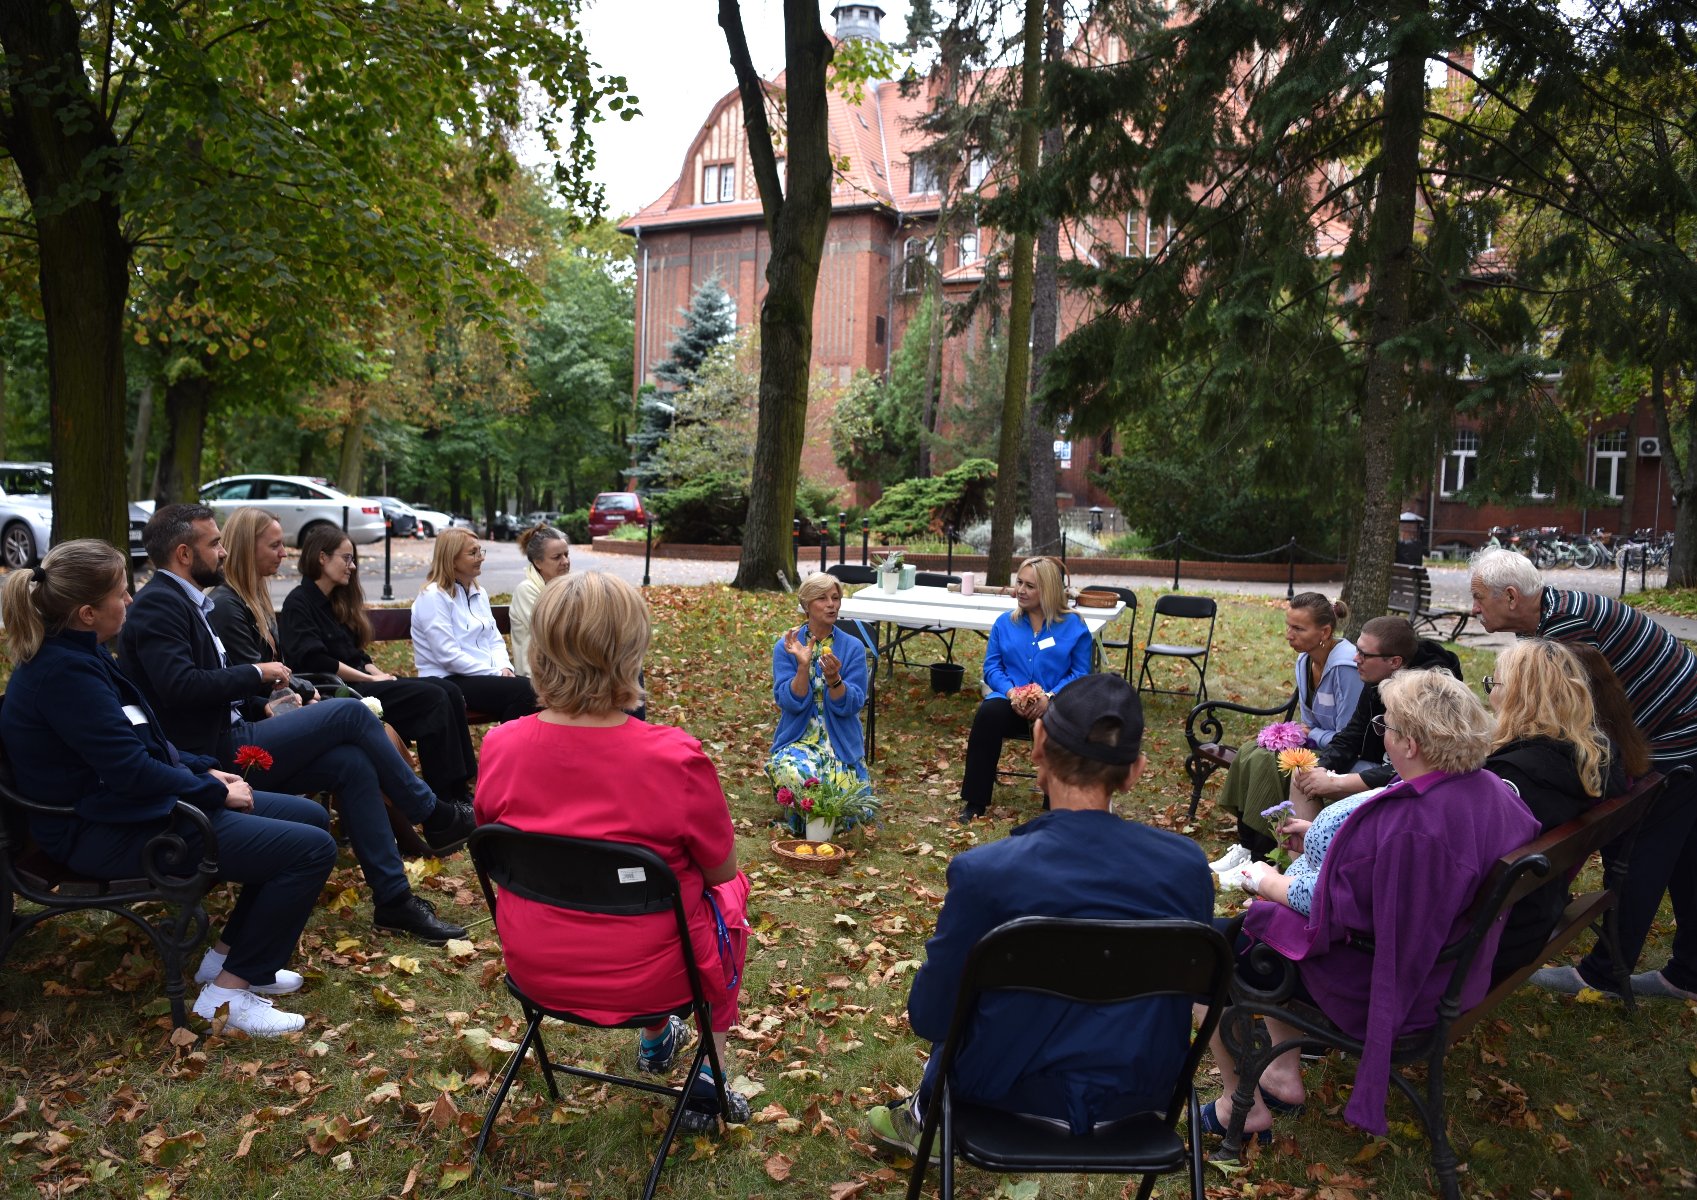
(339, 746)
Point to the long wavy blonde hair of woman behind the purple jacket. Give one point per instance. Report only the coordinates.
(1545, 692)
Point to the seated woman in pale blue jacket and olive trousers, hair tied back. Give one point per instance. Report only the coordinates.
(1328, 690)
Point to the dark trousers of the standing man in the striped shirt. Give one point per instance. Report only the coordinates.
(1664, 860)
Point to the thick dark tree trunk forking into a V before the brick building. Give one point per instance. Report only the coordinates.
(797, 223)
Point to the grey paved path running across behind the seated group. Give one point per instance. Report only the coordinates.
(505, 568)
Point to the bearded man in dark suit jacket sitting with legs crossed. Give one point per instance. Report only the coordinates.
(213, 709)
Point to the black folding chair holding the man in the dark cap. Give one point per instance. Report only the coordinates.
(1094, 963)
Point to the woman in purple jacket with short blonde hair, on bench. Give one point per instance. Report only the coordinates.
(1403, 872)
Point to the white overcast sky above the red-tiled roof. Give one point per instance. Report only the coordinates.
(675, 59)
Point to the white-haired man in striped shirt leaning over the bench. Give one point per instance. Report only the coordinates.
(1661, 681)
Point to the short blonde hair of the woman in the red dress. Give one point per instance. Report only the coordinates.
(590, 636)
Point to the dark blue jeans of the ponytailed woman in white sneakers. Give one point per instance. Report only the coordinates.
(281, 853)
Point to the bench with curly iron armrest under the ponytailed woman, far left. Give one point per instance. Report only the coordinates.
(179, 887)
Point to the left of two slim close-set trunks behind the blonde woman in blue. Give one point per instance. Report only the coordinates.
(1019, 378)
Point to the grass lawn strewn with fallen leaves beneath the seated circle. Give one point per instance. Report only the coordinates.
(384, 1091)
